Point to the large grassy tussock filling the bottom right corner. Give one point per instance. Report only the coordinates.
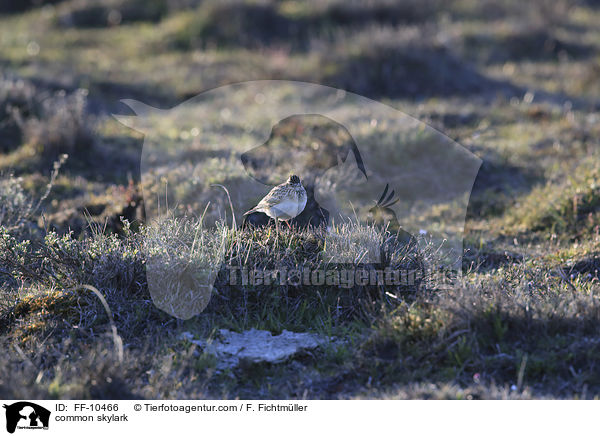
(525, 330)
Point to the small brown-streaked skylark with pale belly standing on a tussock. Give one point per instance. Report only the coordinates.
(283, 202)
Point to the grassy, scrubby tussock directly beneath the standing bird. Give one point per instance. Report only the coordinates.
(185, 258)
